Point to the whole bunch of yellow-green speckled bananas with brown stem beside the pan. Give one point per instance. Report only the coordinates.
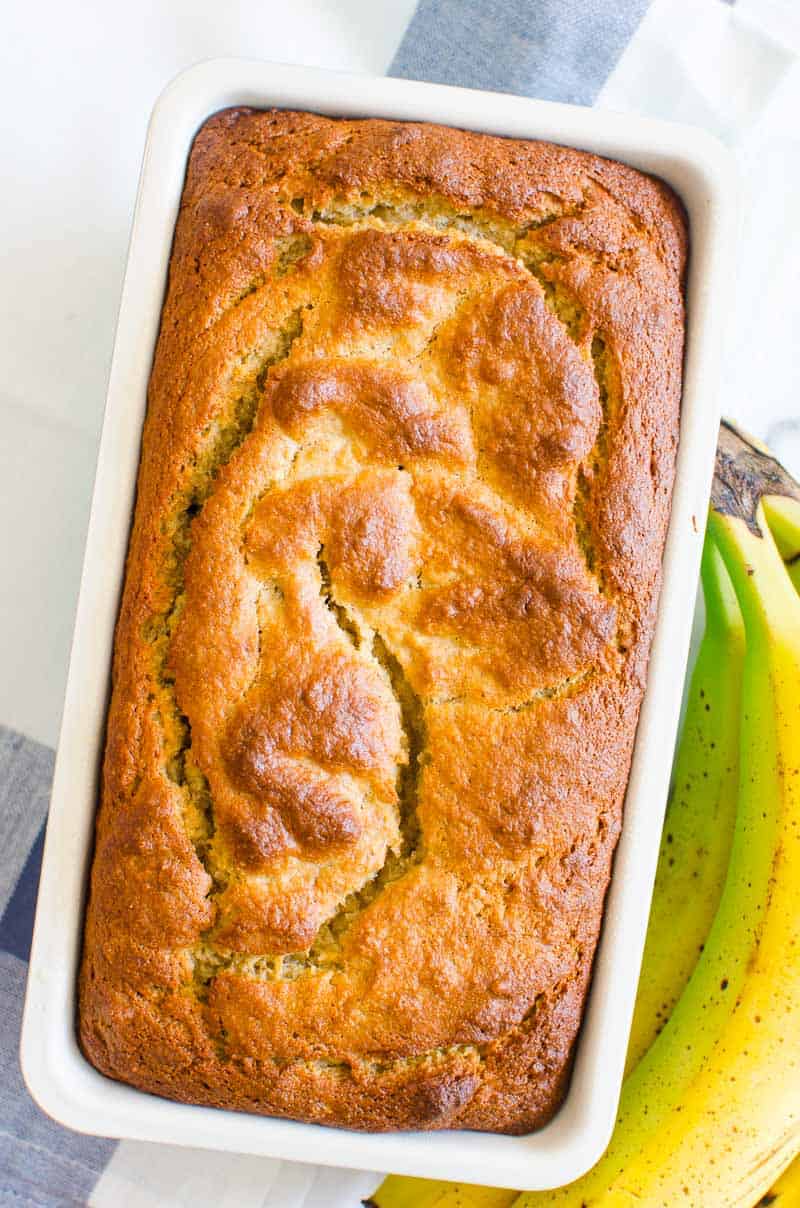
(710, 1114)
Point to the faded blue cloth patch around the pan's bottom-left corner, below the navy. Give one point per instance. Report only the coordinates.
(40, 1163)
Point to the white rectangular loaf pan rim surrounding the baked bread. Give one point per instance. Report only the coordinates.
(57, 1075)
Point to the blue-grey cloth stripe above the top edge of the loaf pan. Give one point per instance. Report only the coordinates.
(556, 50)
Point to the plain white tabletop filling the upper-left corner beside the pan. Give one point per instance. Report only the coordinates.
(79, 79)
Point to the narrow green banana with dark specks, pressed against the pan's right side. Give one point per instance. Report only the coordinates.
(699, 824)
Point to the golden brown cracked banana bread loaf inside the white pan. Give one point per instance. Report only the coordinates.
(391, 589)
